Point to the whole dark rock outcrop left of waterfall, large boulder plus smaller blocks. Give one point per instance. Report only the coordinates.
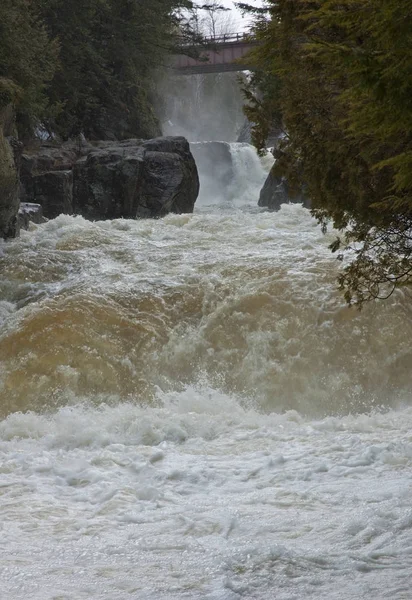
(107, 180)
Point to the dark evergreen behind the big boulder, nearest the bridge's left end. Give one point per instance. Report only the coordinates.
(109, 52)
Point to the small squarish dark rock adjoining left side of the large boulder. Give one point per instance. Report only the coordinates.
(53, 190)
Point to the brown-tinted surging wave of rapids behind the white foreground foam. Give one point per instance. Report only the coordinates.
(245, 301)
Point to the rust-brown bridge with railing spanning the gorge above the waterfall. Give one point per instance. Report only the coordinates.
(225, 54)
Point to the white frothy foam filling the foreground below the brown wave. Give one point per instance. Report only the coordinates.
(199, 498)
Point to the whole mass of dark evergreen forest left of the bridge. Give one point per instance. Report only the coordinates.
(88, 67)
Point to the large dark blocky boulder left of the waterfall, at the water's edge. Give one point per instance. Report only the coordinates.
(131, 178)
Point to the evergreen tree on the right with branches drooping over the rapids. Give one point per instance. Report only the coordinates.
(340, 77)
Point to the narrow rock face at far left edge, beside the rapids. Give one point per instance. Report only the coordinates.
(10, 151)
